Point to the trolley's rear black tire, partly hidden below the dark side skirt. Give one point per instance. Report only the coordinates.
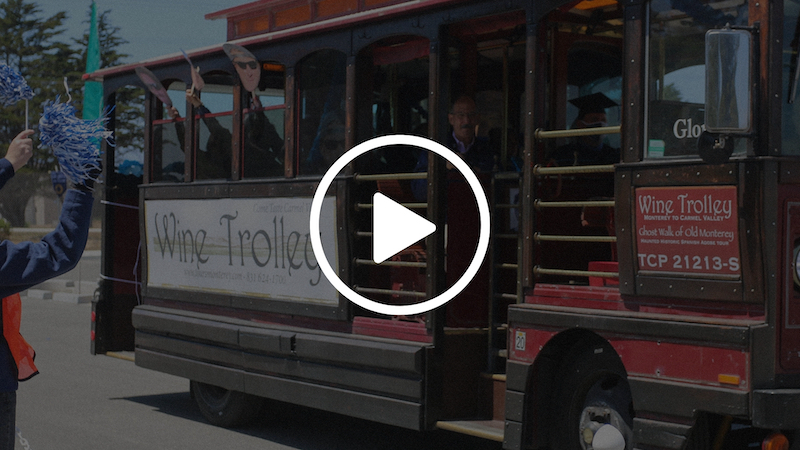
(225, 408)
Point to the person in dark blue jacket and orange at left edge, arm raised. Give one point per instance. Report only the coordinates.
(27, 264)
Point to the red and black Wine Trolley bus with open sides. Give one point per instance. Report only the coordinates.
(642, 284)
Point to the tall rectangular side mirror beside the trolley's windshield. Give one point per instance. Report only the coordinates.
(728, 81)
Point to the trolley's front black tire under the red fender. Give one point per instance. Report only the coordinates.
(591, 389)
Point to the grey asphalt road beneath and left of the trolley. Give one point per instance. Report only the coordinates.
(80, 401)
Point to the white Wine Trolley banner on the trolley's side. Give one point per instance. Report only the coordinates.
(256, 247)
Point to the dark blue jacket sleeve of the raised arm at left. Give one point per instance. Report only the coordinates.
(30, 263)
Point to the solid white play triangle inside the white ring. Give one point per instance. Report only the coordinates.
(395, 227)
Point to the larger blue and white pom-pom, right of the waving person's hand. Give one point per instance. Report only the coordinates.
(75, 142)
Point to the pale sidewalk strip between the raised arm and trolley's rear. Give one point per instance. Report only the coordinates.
(75, 286)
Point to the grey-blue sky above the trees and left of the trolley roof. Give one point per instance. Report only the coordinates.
(151, 27)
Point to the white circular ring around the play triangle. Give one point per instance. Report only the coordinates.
(483, 236)
